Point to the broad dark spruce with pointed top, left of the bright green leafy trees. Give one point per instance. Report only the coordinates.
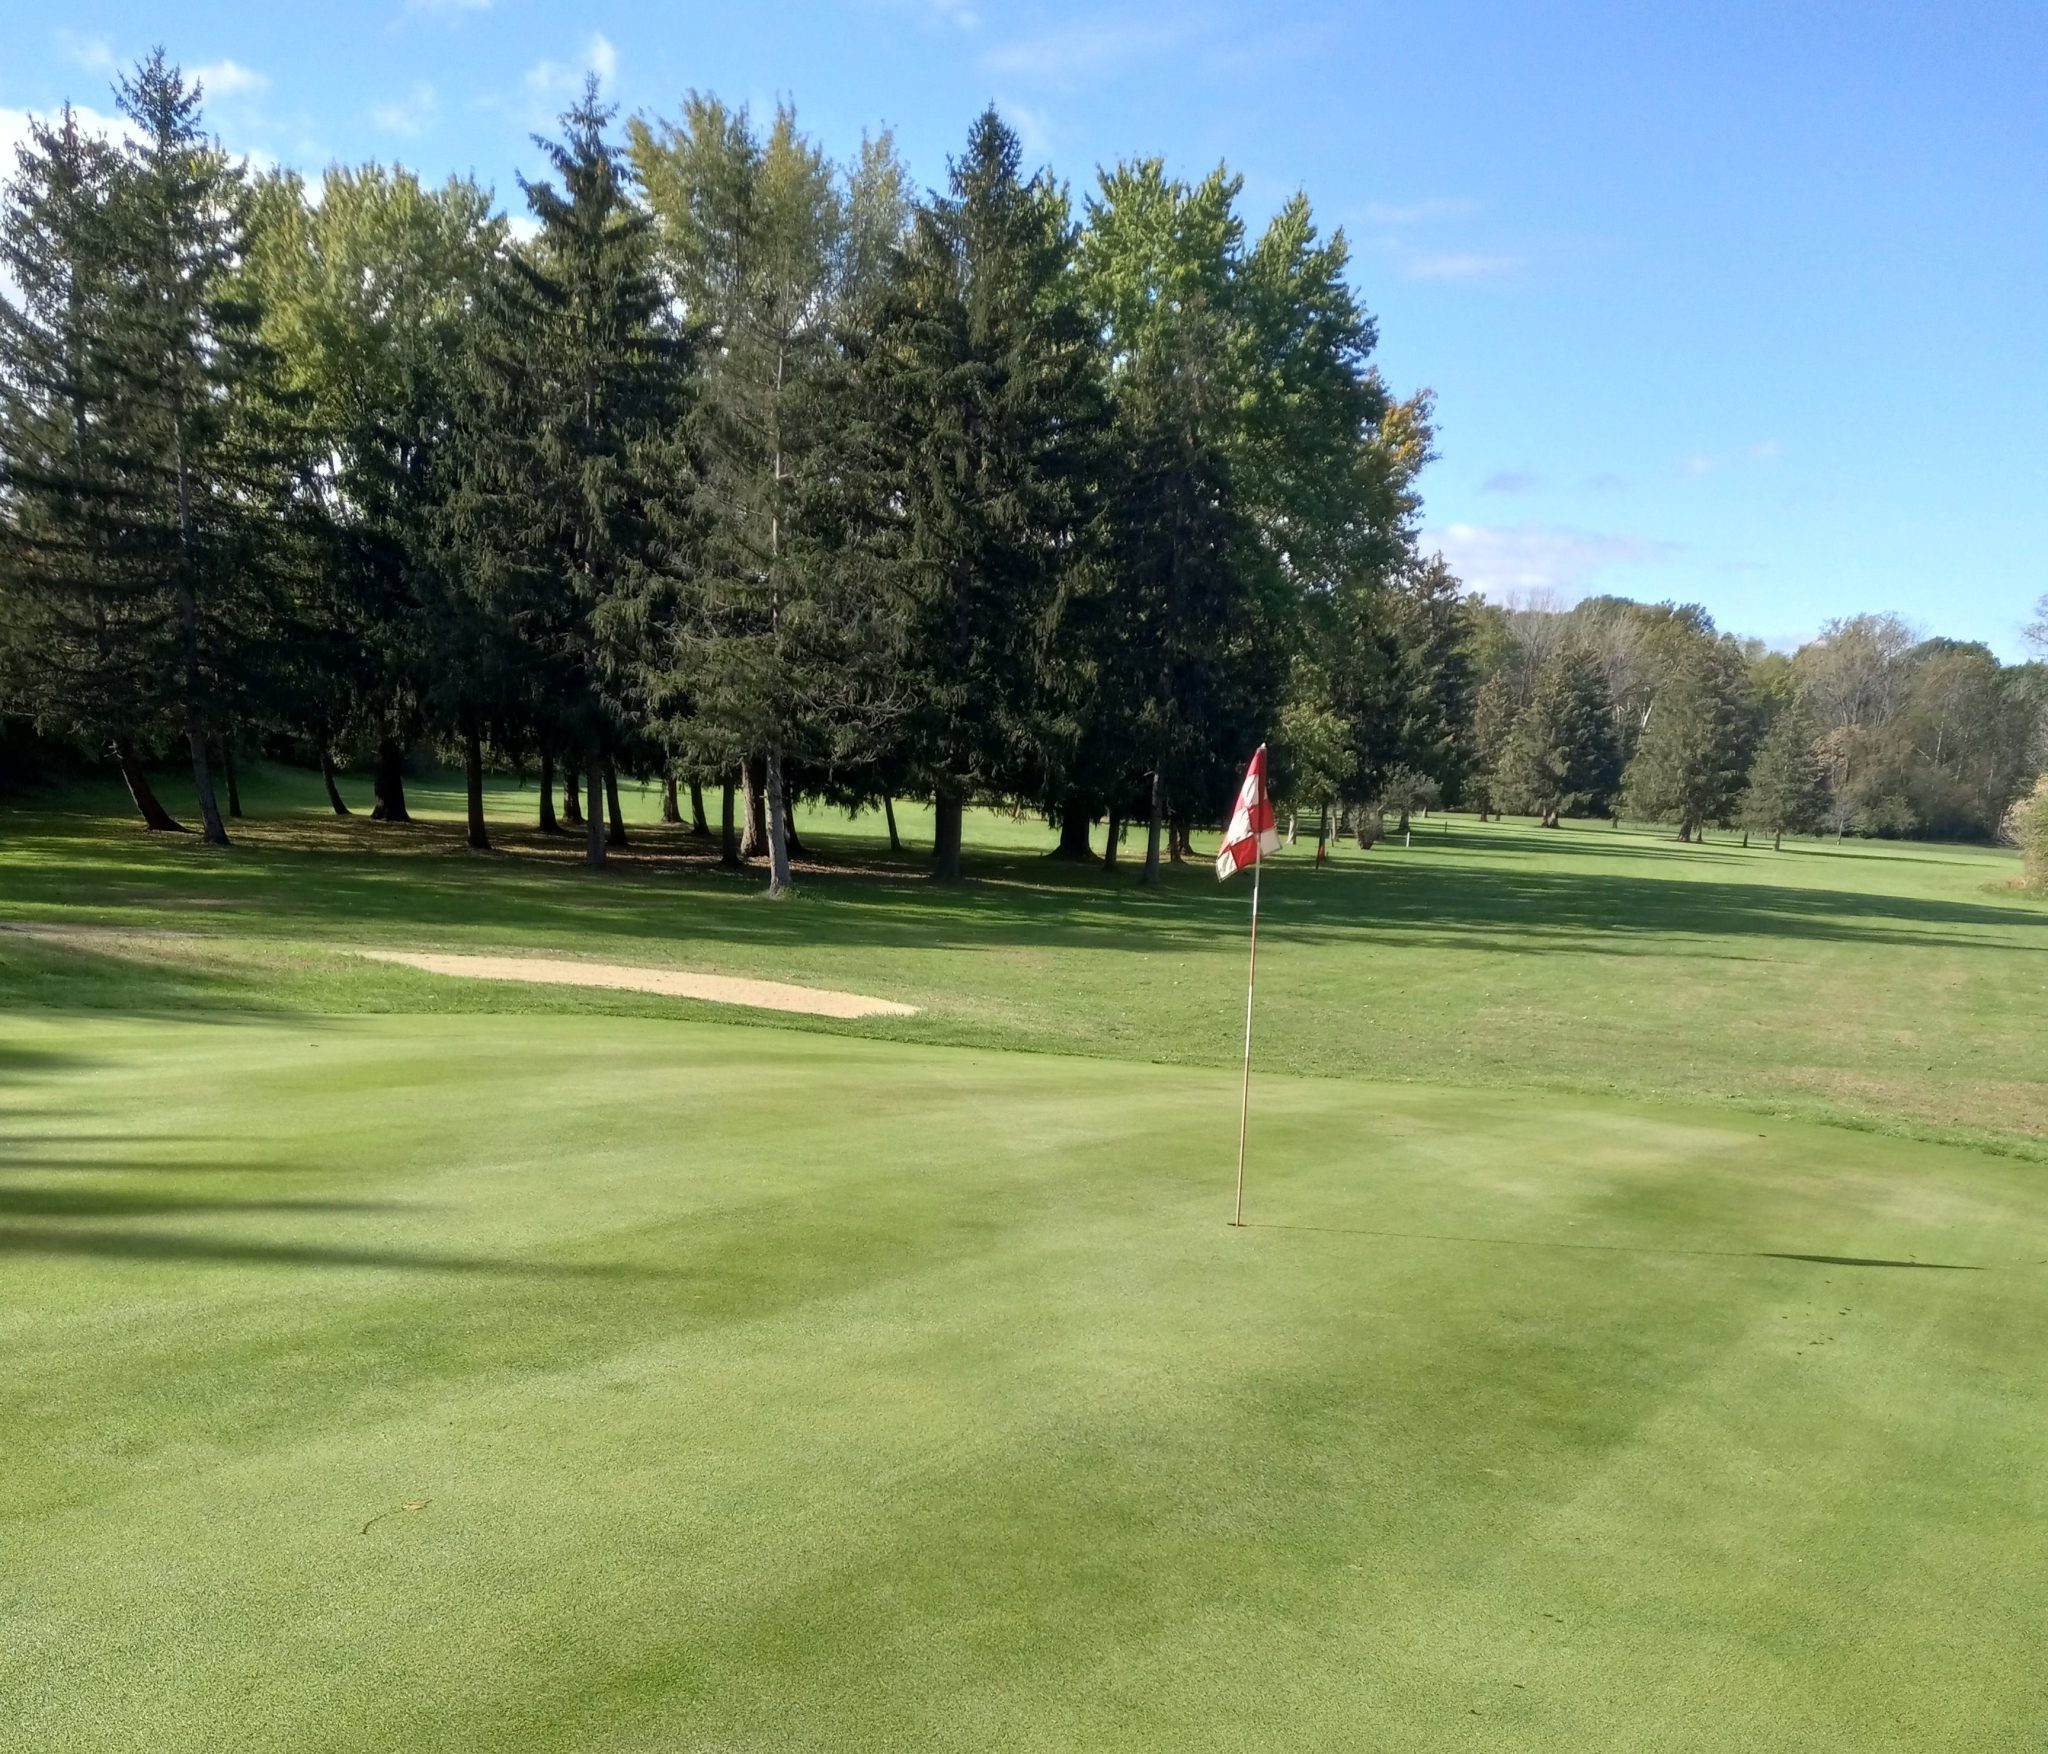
(970, 454)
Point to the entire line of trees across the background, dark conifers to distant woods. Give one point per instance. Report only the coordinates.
(765, 476)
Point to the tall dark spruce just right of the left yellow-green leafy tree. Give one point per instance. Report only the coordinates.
(558, 485)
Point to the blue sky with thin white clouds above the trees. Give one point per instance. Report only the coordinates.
(1738, 304)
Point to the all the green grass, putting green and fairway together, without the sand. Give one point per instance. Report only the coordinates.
(433, 1366)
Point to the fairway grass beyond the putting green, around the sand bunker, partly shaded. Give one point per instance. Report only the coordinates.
(1889, 987)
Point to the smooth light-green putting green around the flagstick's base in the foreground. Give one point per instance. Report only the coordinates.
(767, 1390)
